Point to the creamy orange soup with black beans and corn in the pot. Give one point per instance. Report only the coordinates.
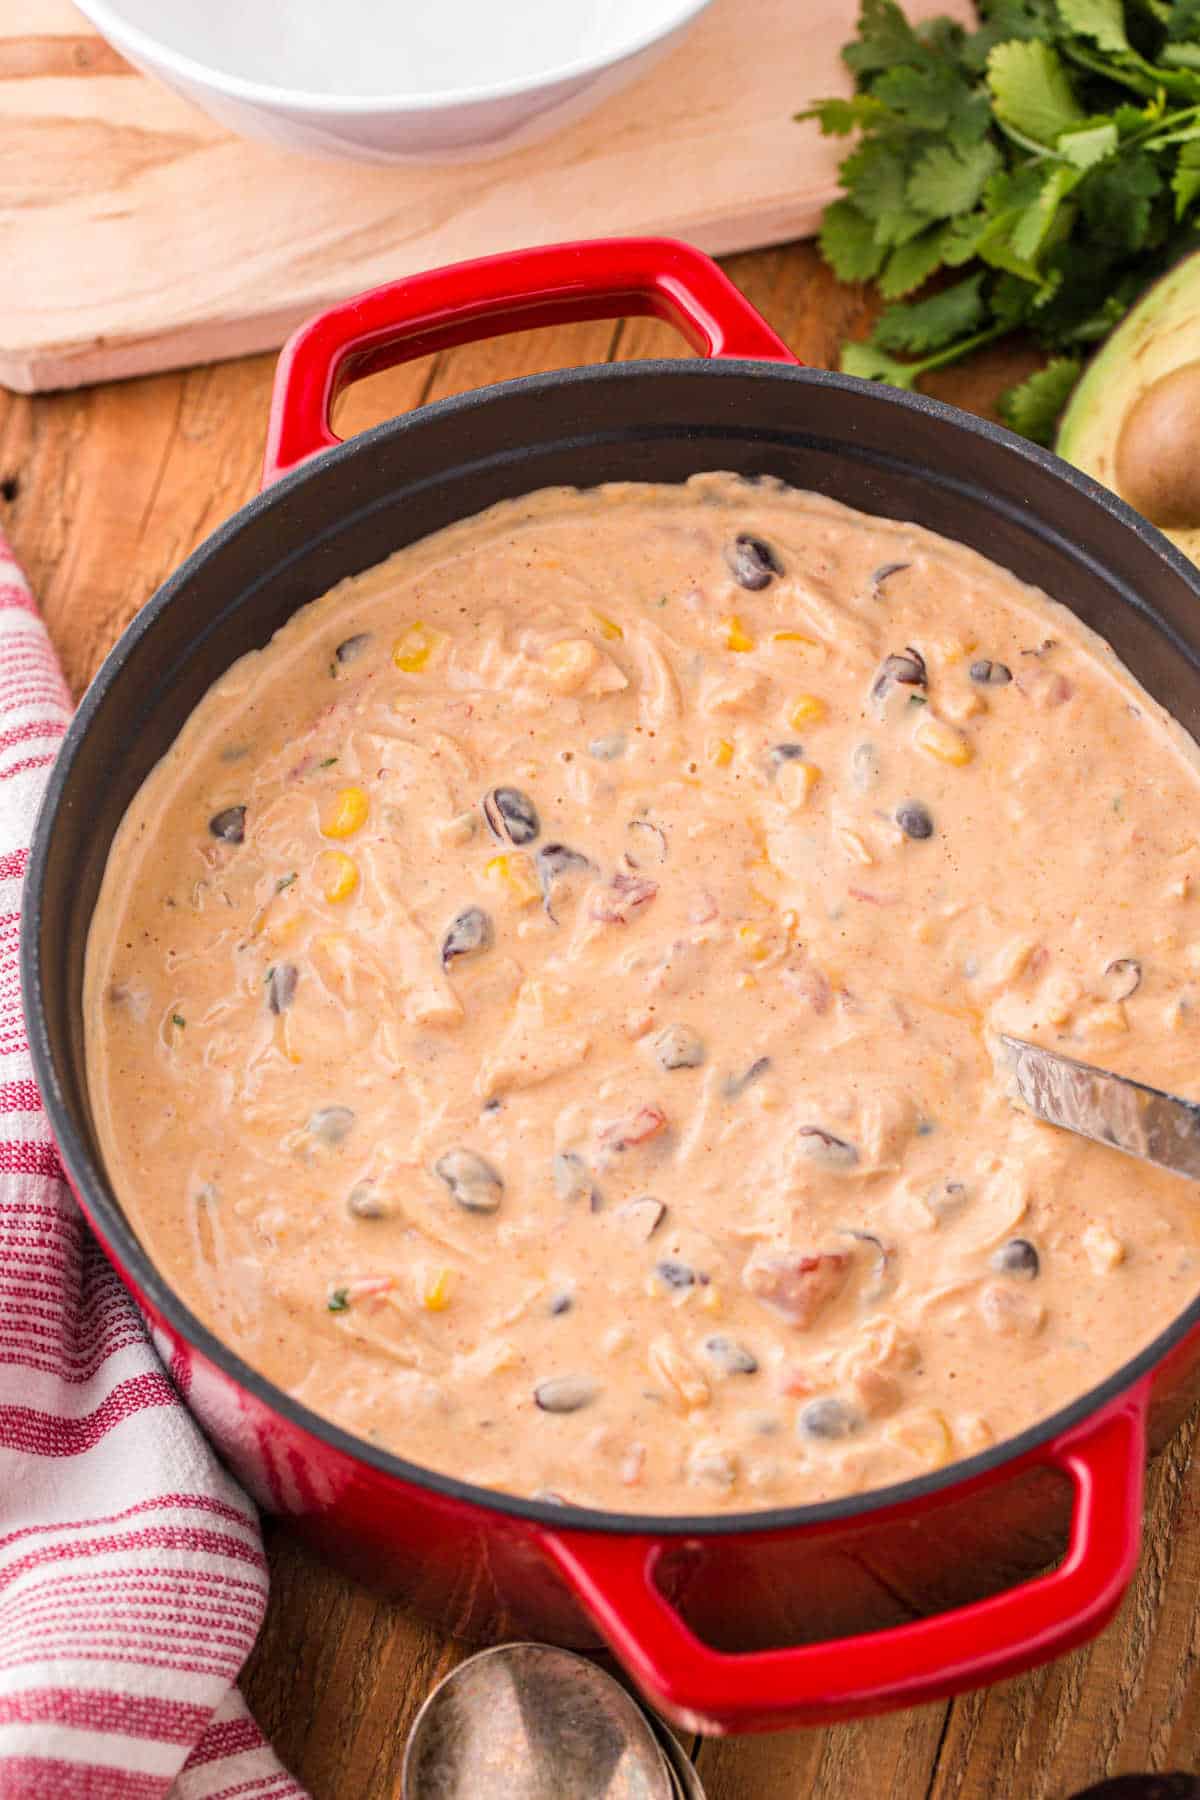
(541, 1009)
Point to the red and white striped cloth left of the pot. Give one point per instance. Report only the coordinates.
(132, 1572)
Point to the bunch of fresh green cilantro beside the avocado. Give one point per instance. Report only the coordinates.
(1048, 161)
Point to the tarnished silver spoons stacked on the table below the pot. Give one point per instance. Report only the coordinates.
(528, 1722)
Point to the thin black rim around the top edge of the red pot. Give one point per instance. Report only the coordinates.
(120, 1239)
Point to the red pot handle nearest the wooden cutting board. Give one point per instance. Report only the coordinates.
(609, 278)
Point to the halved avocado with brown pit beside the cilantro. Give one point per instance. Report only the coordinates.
(1134, 420)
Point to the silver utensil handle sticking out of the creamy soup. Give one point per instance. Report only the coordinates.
(1107, 1108)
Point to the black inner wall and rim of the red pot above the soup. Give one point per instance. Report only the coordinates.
(870, 447)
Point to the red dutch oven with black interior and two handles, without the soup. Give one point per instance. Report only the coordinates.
(739, 1623)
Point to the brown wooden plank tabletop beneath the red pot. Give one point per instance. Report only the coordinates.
(102, 494)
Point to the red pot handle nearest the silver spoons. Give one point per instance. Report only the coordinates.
(906, 1666)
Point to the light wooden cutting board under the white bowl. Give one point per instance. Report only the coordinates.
(139, 235)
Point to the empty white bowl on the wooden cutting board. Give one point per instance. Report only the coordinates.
(393, 80)
